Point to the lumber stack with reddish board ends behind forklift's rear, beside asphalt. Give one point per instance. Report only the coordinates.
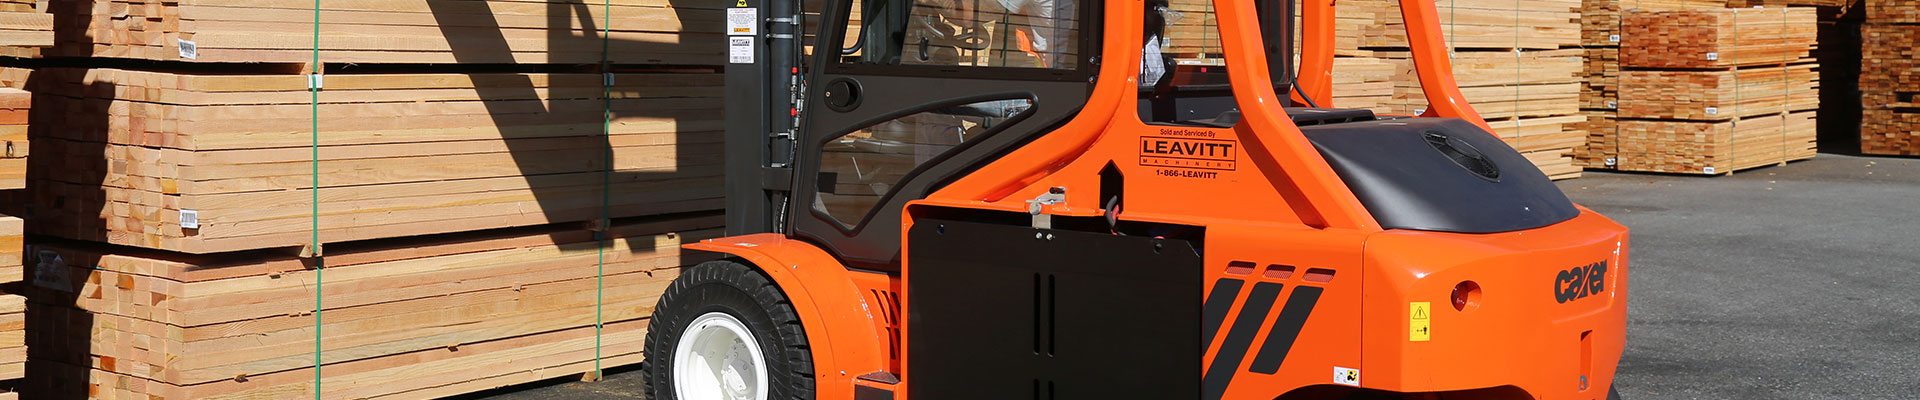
(1716, 91)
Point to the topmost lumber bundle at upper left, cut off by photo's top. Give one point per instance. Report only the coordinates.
(395, 32)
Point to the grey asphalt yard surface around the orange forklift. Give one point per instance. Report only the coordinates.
(1798, 282)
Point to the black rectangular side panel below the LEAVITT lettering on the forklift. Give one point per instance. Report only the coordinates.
(1003, 314)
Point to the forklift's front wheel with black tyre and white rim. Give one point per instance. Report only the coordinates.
(723, 332)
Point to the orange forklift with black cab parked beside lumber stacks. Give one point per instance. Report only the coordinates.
(1026, 199)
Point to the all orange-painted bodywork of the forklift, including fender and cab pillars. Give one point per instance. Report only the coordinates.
(1276, 214)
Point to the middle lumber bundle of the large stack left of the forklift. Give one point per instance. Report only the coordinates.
(222, 162)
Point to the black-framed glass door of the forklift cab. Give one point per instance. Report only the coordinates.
(917, 93)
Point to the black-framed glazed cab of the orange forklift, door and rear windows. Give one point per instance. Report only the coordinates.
(923, 91)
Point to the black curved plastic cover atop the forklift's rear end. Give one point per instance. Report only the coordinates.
(1439, 174)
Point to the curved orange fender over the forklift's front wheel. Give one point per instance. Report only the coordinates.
(836, 316)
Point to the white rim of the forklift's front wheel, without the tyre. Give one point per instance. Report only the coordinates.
(717, 359)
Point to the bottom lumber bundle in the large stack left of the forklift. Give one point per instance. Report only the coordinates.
(416, 318)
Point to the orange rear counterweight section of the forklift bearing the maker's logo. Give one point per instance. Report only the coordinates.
(1520, 334)
